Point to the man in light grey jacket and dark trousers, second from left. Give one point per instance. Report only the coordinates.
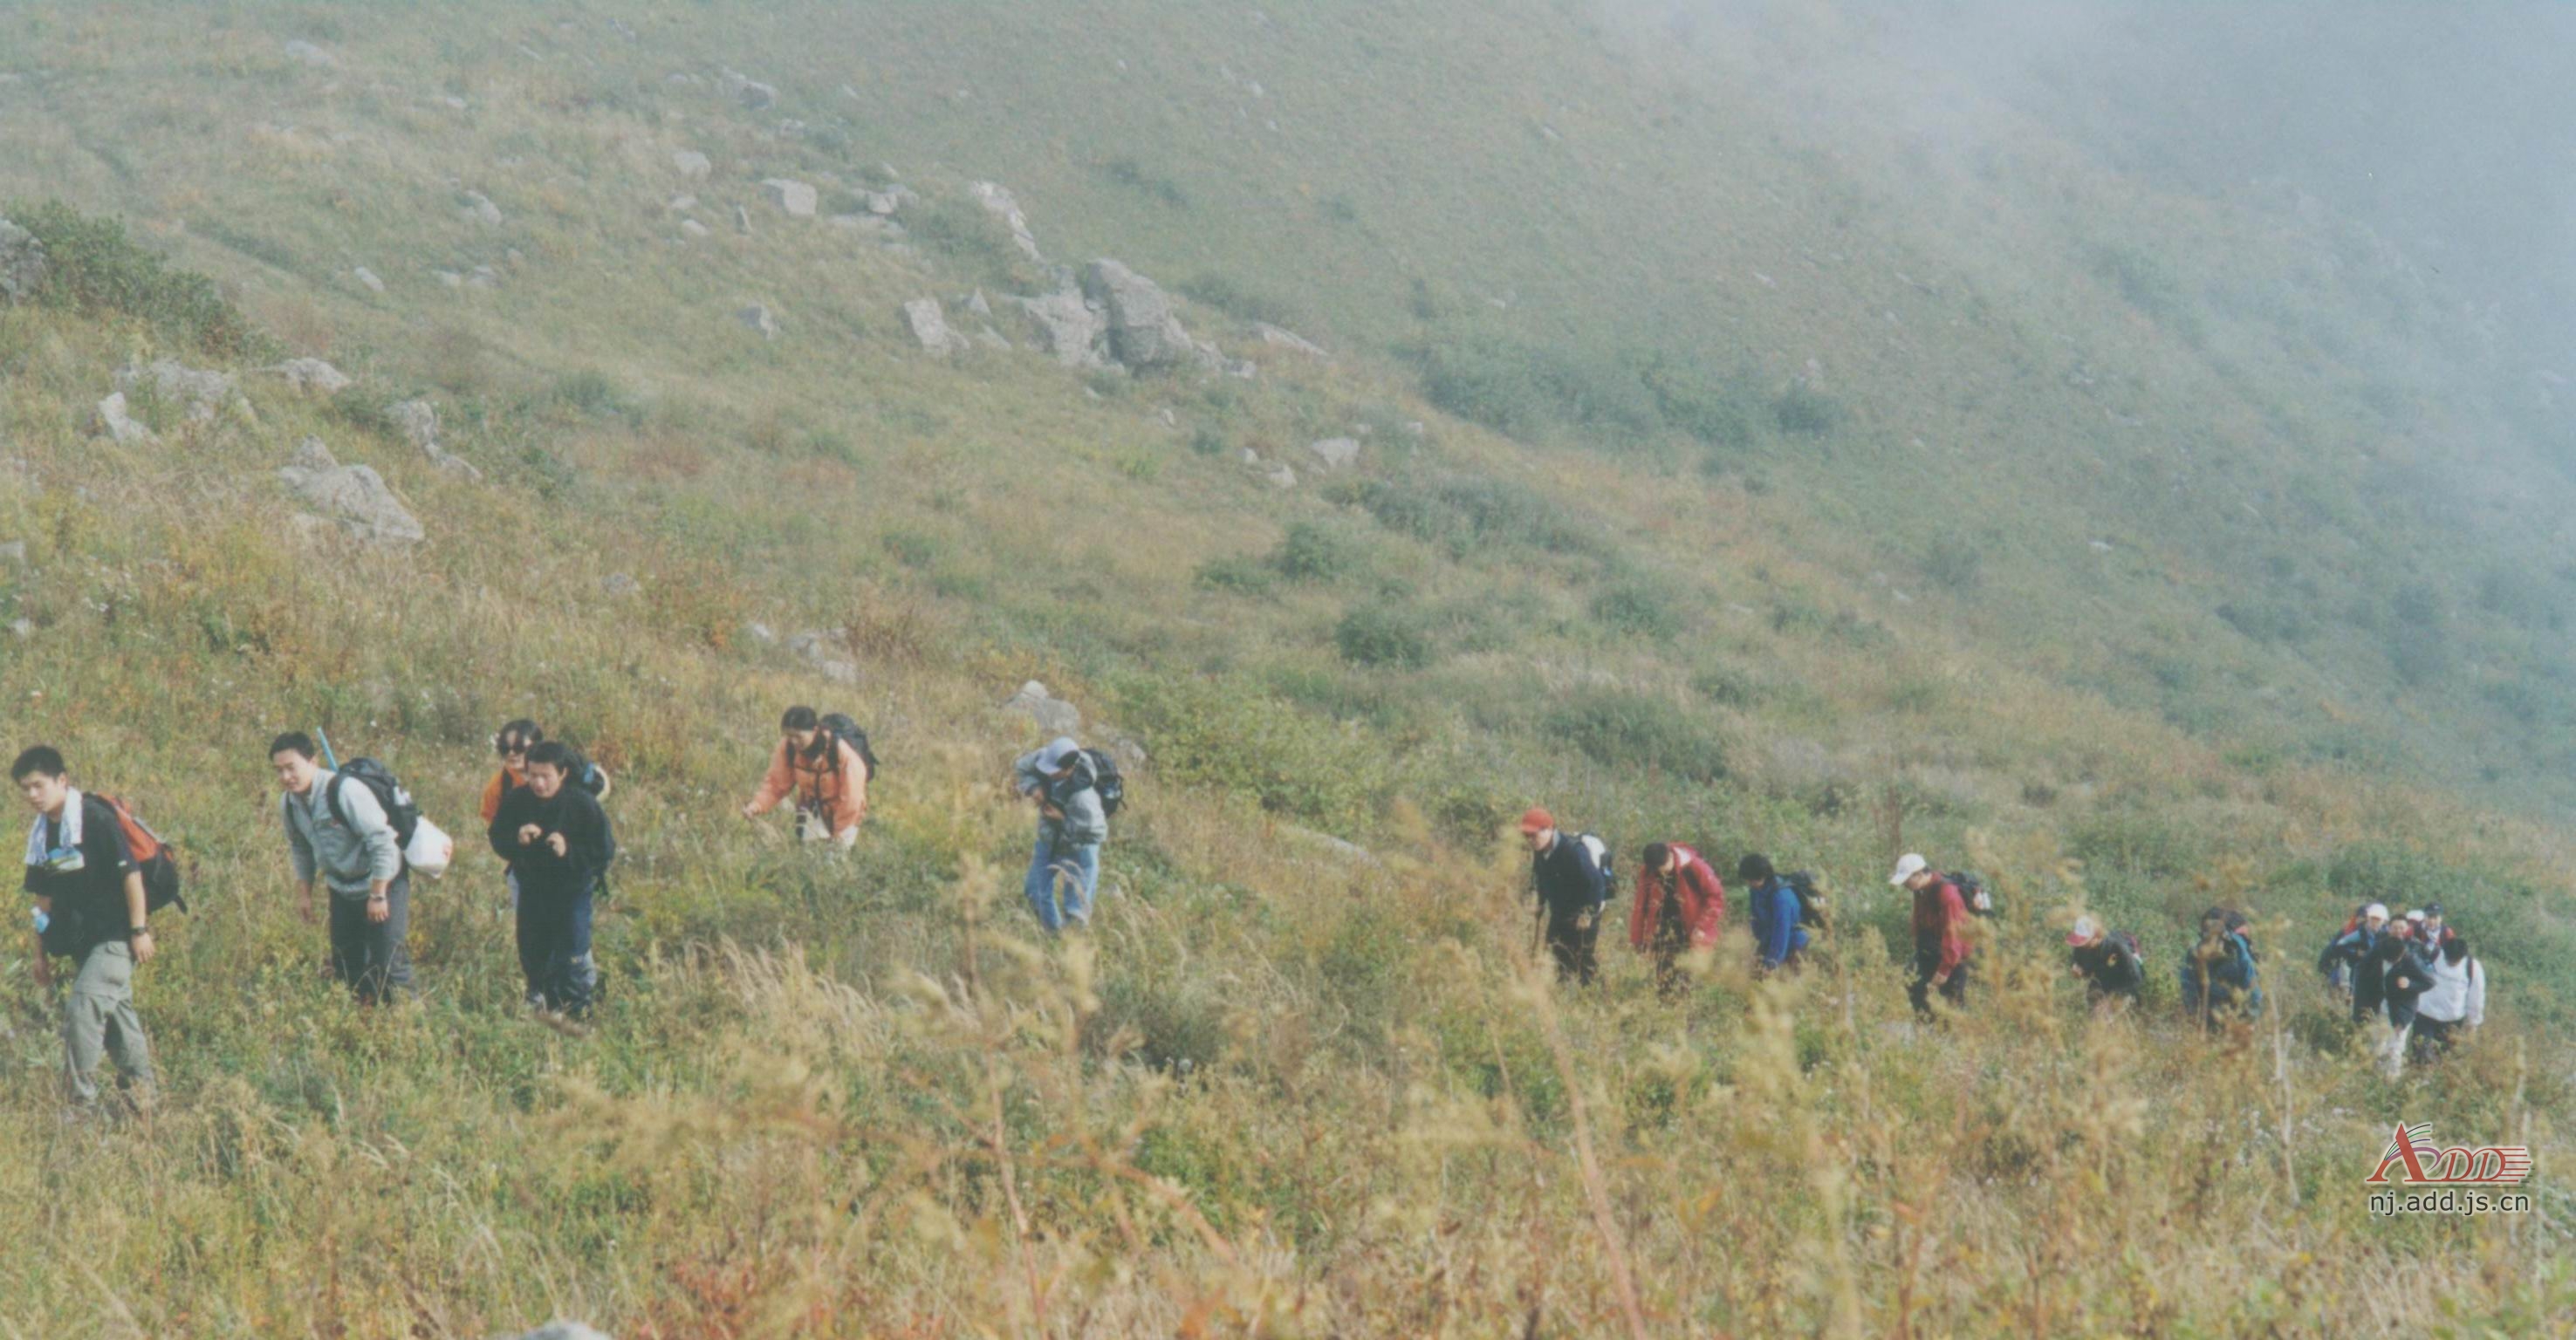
(344, 839)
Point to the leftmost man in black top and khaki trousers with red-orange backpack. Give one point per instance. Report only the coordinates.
(91, 911)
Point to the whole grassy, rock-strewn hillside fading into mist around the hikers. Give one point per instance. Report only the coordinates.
(1802, 429)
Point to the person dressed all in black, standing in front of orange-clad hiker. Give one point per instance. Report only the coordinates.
(555, 839)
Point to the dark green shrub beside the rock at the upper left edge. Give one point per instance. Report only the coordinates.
(97, 267)
